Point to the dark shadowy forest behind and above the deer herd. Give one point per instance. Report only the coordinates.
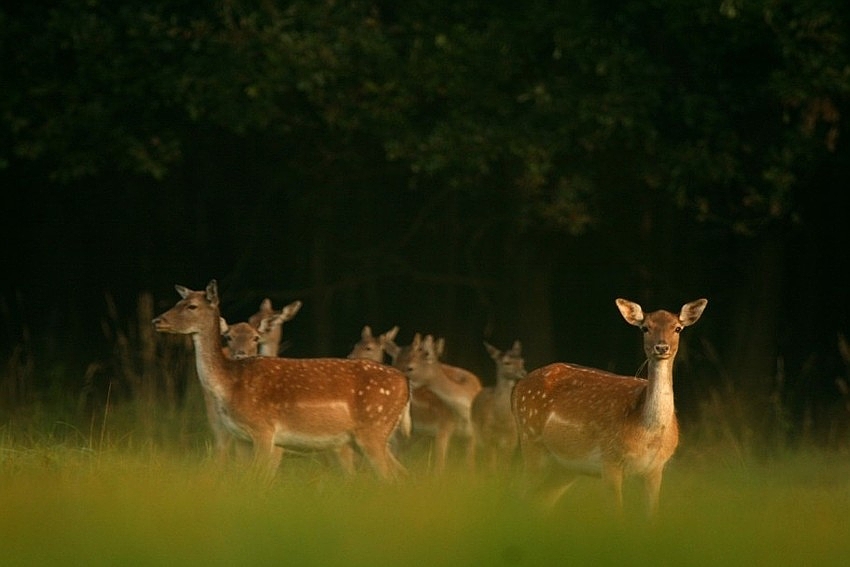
(478, 171)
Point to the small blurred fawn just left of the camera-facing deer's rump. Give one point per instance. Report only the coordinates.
(493, 422)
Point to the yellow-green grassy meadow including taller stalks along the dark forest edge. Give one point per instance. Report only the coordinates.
(120, 472)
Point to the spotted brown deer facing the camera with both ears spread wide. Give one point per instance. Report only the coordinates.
(575, 420)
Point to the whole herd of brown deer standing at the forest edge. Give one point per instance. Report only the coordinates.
(567, 420)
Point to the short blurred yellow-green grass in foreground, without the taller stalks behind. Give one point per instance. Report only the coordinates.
(71, 501)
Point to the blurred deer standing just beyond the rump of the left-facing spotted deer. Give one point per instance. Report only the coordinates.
(442, 395)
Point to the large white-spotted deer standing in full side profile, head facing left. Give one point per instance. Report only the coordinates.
(316, 403)
